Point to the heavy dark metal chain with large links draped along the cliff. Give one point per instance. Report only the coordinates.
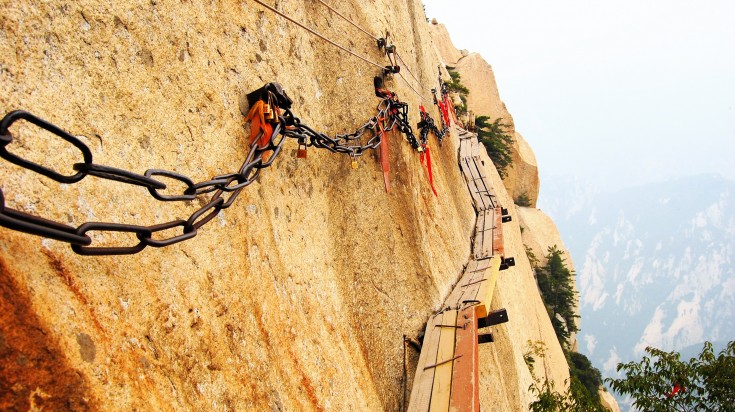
(225, 188)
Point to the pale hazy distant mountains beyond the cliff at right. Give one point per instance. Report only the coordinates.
(655, 264)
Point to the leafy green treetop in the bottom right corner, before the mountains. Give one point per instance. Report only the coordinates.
(706, 383)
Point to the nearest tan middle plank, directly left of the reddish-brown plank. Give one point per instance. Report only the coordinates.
(442, 387)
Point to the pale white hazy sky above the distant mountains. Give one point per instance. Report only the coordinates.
(622, 92)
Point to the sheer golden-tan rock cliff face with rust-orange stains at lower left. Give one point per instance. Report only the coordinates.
(295, 298)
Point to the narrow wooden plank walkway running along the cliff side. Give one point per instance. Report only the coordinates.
(447, 374)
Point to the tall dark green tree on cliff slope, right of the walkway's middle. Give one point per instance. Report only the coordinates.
(557, 292)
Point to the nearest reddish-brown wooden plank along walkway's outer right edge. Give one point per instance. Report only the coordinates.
(466, 376)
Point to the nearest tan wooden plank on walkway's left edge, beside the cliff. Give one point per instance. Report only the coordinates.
(423, 380)
